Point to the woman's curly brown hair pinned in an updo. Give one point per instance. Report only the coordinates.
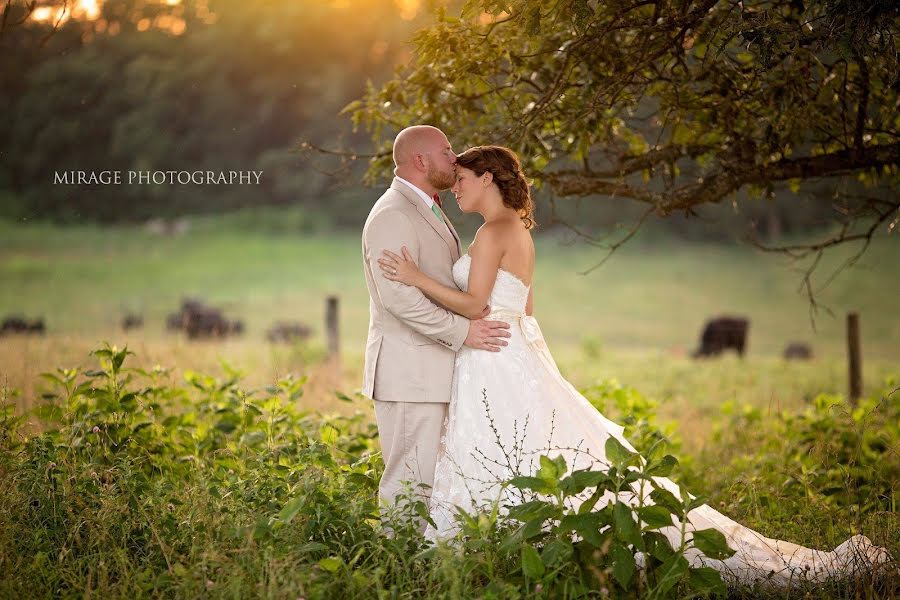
(504, 165)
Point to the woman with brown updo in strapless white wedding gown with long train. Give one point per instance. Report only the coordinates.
(518, 400)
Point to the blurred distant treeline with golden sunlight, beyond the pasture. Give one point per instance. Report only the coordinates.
(227, 85)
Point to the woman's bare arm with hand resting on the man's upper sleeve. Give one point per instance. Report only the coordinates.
(482, 275)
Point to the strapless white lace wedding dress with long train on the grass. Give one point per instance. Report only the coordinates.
(509, 407)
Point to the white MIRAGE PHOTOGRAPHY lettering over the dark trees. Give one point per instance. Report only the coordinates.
(157, 177)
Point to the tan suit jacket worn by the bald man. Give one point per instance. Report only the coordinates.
(412, 343)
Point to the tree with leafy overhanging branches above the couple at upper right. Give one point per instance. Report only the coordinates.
(671, 104)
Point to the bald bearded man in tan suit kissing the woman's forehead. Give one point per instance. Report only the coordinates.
(412, 343)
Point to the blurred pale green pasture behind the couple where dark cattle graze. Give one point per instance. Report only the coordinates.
(635, 319)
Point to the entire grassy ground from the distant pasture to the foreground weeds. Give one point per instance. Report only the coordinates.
(191, 486)
